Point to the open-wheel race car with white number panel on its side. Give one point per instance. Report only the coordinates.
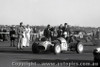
(57, 46)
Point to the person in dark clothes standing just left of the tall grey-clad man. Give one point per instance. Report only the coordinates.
(12, 36)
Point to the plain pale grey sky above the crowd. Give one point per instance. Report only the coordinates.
(54, 12)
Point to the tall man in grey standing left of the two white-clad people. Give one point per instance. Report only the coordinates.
(20, 36)
